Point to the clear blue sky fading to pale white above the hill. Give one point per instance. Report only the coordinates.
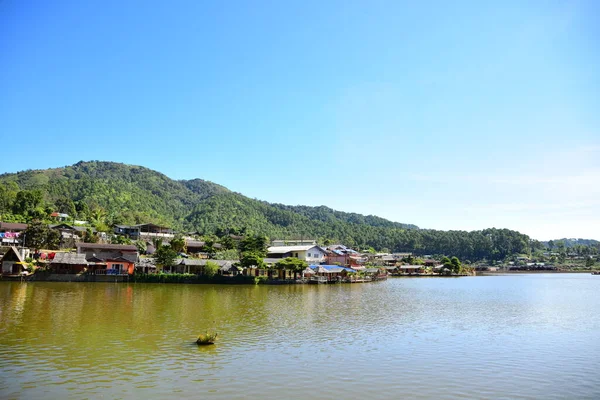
(448, 115)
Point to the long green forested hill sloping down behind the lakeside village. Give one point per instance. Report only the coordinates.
(106, 193)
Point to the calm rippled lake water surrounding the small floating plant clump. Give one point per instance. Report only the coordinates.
(525, 336)
